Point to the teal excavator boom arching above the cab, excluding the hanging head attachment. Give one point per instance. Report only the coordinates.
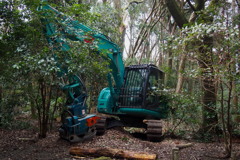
(61, 27)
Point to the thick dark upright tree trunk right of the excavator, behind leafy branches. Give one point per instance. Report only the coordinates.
(208, 85)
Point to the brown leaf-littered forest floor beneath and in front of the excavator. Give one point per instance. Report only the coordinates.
(15, 146)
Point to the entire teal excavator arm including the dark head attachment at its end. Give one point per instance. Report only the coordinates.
(59, 28)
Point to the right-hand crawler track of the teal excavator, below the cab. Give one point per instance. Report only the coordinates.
(154, 130)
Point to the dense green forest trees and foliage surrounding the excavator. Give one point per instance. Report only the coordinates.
(195, 42)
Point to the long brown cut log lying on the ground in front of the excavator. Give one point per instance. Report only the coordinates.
(109, 152)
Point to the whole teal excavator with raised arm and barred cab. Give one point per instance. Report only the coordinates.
(133, 92)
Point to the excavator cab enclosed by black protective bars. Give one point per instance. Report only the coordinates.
(142, 84)
